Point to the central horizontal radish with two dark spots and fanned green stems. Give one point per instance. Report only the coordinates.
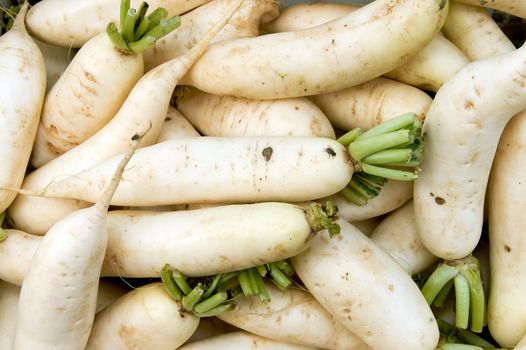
(250, 169)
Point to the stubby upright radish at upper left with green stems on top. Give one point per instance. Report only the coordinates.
(97, 82)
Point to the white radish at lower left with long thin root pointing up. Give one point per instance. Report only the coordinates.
(59, 294)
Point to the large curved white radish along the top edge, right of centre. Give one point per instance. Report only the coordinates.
(326, 58)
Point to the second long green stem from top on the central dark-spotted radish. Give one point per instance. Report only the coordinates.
(364, 147)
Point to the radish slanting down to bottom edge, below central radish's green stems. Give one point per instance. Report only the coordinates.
(361, 285)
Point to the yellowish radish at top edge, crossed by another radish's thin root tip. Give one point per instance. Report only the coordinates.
(194, 24)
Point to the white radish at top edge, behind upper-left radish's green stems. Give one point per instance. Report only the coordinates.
(72, 23)
